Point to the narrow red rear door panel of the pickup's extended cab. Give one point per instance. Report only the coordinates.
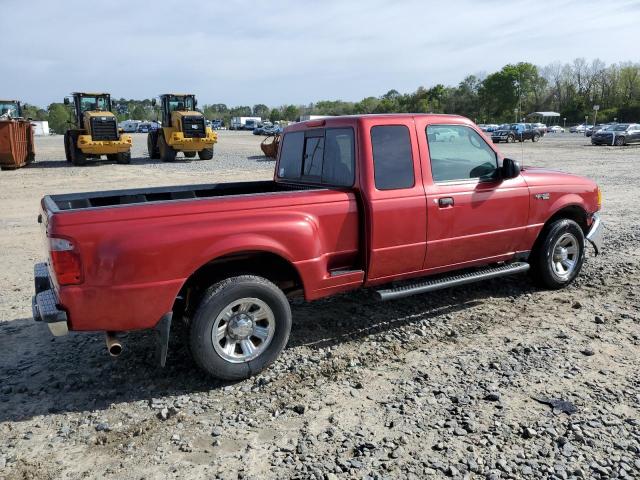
(395, 204)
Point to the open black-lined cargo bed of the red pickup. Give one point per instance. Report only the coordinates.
(80, 201)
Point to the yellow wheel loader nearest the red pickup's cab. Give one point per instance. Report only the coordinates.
(183, 129)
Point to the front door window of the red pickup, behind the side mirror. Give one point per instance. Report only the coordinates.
(458, 152)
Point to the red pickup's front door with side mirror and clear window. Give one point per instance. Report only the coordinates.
(473, 215)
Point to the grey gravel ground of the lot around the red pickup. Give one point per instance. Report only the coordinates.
(453, 384)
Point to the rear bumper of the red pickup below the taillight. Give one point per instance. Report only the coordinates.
(44, 303)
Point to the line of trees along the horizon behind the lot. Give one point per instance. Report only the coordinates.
(571, 89)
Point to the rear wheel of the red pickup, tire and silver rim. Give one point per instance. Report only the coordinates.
(214, 355)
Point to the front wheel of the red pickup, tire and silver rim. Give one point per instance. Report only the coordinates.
(550, 266)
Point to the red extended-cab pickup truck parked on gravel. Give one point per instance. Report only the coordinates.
(401, 204)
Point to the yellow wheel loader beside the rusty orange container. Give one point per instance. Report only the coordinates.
(95, 131)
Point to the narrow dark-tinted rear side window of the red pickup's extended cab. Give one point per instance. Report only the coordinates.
(392, 160)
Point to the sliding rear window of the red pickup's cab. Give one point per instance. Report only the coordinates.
(319, 156)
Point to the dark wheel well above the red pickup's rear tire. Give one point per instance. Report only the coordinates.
(264, 264)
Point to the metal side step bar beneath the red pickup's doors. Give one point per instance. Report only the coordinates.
(452, 281)
